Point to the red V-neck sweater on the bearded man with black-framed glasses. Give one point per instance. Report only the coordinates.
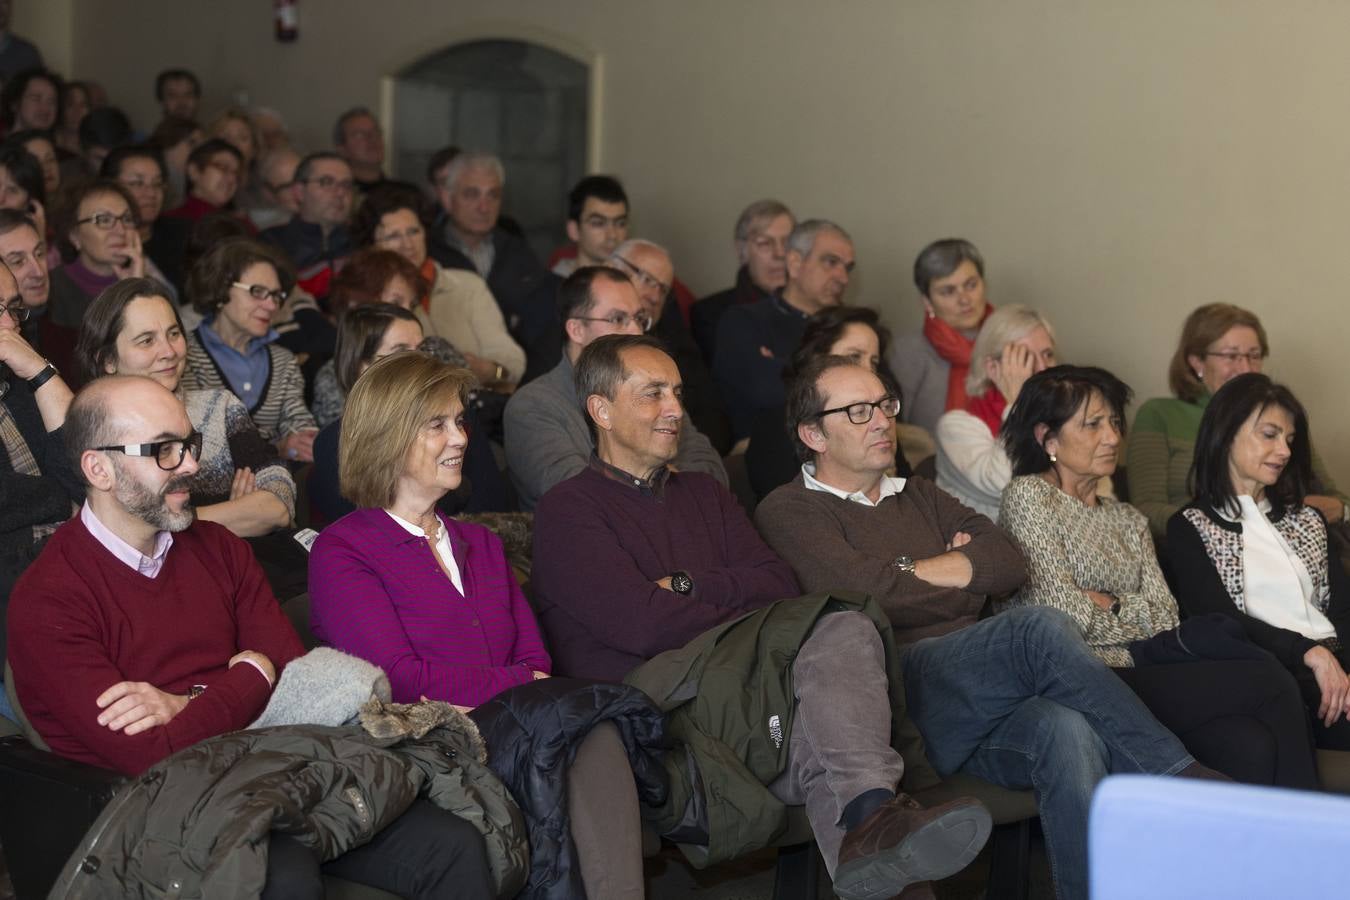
(82, 621)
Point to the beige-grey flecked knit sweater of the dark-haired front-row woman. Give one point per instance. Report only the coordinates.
(1073, 549)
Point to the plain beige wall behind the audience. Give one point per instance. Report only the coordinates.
(1118, 164)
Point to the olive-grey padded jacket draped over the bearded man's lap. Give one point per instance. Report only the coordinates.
(196, 825)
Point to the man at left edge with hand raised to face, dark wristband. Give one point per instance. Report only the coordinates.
(38, 490)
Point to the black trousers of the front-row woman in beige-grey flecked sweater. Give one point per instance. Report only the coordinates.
(1244, 719)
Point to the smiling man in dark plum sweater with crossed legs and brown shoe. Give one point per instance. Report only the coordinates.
(634, 559)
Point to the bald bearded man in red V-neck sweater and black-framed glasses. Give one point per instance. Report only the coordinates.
(141, 631)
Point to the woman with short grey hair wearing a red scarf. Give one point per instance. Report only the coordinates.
(932, 365)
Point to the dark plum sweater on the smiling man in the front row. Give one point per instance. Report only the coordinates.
(600, 549)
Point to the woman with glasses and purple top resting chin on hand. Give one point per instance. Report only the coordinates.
(98, 229)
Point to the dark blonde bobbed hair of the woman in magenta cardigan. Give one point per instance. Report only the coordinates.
(388, 407)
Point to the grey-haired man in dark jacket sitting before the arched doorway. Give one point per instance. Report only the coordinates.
(470, 237)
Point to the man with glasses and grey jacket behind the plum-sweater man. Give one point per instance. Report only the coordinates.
(547, 439)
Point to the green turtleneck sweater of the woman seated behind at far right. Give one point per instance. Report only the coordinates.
(1162, 446)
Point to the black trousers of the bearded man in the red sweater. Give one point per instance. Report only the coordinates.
(423, 853)
